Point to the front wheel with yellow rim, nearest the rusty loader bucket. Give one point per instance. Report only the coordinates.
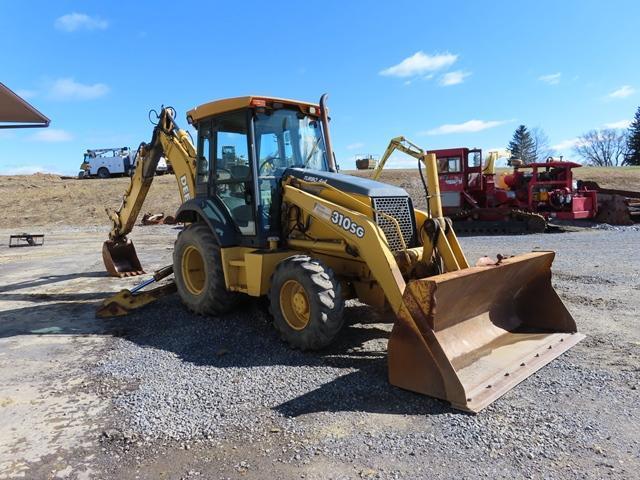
(306, 303)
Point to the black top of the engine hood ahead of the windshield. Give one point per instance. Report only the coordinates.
(348, 183)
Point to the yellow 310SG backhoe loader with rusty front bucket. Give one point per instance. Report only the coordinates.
(272, 217)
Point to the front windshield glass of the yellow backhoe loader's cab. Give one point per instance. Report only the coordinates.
(288, 138)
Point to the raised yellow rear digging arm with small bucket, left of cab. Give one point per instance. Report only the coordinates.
(175, 145)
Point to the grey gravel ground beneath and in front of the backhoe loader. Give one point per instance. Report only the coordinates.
(223, 397)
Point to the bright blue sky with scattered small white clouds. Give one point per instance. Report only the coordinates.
(443, 74)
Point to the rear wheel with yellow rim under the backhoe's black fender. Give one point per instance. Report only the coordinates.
(197, 267)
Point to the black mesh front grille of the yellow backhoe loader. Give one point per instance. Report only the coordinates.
(399, 208)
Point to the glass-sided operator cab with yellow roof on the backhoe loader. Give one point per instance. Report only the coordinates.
(244, 147)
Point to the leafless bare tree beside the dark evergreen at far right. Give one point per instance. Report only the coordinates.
(602, 148)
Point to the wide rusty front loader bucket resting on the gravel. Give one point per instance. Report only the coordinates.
(470, 336)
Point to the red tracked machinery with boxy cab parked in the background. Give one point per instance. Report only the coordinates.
(521, 201)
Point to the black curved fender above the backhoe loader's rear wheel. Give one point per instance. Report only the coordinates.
(216, 217)
